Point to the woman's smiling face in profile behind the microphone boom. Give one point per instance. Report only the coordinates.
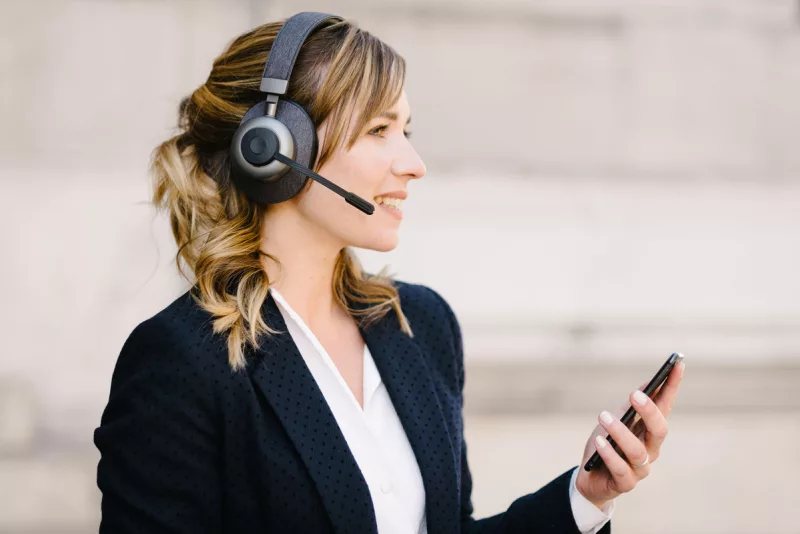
(382, 160)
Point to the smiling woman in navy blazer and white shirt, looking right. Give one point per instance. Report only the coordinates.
(287, 390)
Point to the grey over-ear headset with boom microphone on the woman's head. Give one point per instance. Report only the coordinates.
(276, 140)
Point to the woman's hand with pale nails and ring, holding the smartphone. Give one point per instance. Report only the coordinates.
(641, 443)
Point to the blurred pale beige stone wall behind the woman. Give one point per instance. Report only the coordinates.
(608, 182)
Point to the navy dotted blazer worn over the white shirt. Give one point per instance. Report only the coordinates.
(188, 446)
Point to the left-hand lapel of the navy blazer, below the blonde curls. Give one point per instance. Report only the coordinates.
(282, 375)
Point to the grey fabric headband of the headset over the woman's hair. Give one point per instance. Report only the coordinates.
(285, 49)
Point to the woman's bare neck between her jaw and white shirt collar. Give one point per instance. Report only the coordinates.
(307, 256)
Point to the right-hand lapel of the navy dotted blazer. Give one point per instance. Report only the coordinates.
(402, 366)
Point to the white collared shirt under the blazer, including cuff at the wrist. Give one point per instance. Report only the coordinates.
(379, 444)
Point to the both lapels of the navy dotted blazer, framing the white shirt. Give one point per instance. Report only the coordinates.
(281, 374)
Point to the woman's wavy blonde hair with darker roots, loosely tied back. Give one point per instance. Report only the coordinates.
(341, 72)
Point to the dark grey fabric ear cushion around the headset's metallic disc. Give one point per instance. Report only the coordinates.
(294, 116)
